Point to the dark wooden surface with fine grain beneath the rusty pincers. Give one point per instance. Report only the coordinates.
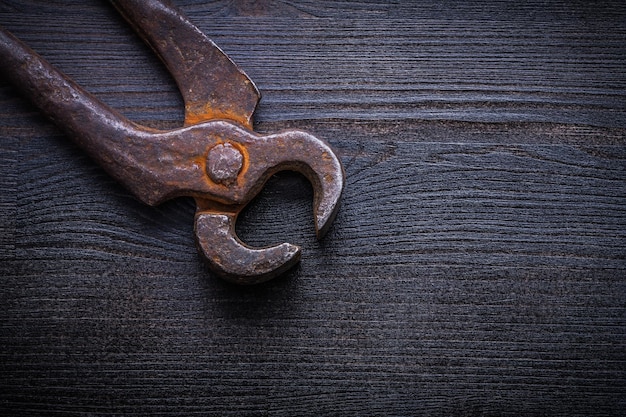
(477, 265)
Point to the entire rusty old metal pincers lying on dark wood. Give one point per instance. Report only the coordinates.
(215, 157)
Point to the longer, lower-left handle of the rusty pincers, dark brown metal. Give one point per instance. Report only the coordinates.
(120, 146)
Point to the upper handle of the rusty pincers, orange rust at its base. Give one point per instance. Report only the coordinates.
(212, 85)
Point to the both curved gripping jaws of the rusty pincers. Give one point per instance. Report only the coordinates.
(296, 151)
